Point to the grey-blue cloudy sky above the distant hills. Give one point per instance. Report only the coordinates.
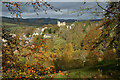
(70, 10)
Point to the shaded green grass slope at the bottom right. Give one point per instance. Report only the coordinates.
(102, 70)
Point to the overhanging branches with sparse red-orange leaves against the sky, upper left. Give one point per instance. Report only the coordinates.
(15, 8)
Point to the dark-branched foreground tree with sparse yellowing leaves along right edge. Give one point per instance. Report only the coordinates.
(111, 26)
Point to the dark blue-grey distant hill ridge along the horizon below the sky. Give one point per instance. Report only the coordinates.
(40, 21)
